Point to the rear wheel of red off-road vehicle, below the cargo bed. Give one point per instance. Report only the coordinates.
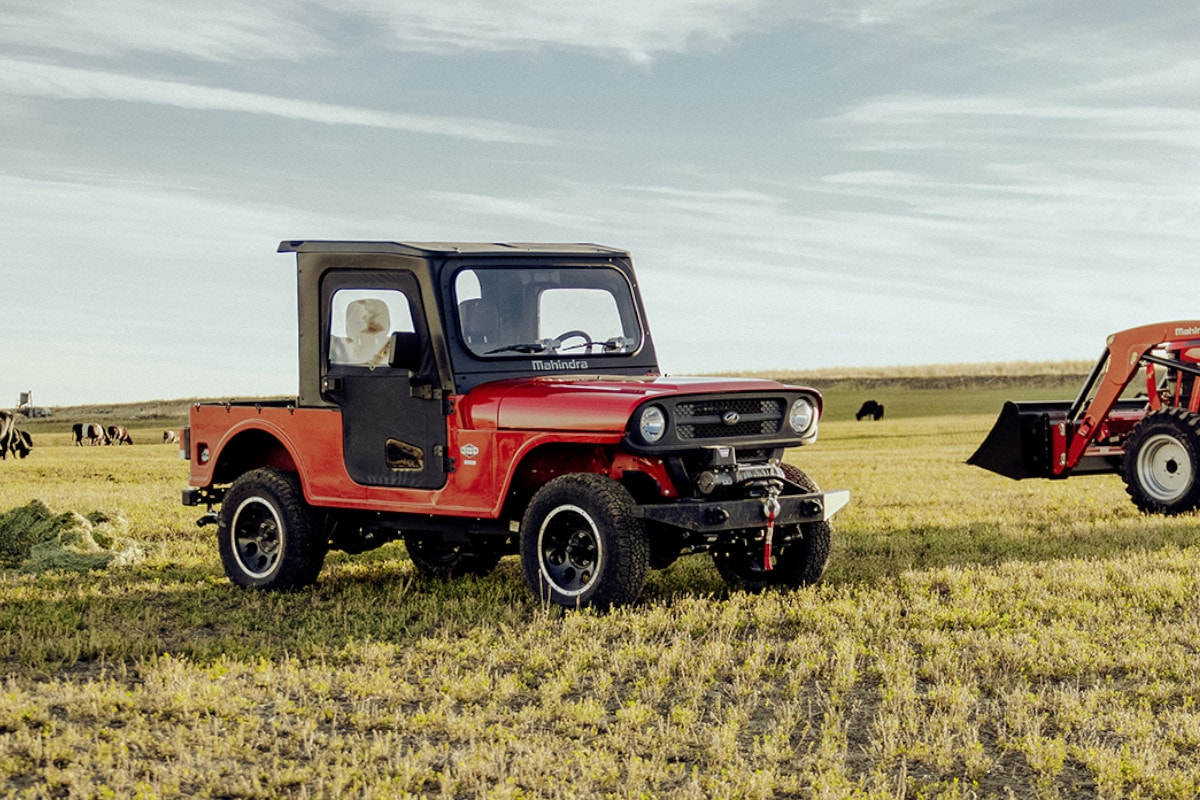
(267, 534)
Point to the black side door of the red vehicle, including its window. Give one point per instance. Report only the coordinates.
(394, 428)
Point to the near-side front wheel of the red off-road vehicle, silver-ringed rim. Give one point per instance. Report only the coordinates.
(581, 544)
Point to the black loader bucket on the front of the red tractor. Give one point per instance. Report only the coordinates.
(1019, 444)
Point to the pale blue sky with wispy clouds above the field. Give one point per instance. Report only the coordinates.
(802, 184)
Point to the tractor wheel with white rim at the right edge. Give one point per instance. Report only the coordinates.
(1162, 462)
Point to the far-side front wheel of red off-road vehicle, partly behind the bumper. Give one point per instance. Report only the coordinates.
(797, 562)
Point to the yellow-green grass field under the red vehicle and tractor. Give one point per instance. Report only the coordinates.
(975, 637)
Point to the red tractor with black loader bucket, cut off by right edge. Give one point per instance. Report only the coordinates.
(1151, 438)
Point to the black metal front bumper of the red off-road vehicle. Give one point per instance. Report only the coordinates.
(717, 516)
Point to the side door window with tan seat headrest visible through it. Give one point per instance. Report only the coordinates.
(362, 324)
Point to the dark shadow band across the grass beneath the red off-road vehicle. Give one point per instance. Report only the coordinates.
(61, 624)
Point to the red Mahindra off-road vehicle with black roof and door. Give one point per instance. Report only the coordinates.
(484, 400)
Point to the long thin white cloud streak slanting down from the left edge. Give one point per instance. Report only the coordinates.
(45, 81)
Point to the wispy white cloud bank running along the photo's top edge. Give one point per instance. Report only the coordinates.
(226, 31)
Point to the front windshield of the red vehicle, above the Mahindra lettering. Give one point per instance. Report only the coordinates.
(557, 311)
